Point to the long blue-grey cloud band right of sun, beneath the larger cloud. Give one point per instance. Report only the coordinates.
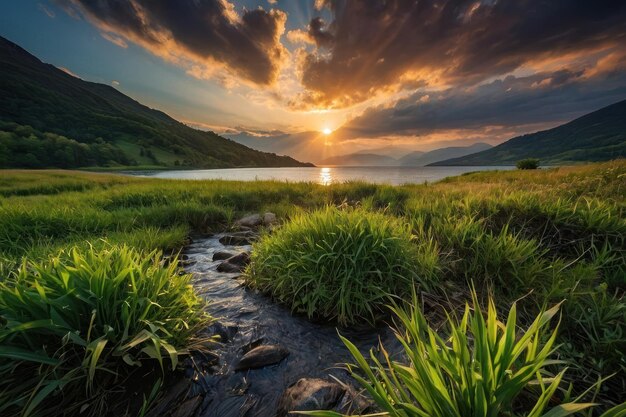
(512, 102)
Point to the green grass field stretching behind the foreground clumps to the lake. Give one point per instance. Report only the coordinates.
(542, 237)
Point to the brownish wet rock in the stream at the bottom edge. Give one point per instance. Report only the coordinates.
(310, 394)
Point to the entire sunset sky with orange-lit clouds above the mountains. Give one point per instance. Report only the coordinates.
(317, 78)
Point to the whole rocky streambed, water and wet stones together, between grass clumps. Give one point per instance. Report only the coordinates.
(268, 361)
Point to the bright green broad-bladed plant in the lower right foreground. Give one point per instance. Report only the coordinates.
(479, 369)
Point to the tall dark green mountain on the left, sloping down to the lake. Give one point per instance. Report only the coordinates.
(49, 118)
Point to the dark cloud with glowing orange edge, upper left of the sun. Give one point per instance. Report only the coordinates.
(204, 32)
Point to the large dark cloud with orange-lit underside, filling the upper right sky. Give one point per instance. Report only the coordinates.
(379, 45)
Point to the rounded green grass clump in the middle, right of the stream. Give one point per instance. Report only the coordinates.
(341, 264)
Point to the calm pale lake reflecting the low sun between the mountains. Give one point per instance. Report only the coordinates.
(325, 175)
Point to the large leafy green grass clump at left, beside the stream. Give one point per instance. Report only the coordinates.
(74, 326)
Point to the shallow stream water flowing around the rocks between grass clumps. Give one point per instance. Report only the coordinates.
(247, 319)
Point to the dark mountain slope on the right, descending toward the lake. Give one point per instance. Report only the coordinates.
(597, 136)
